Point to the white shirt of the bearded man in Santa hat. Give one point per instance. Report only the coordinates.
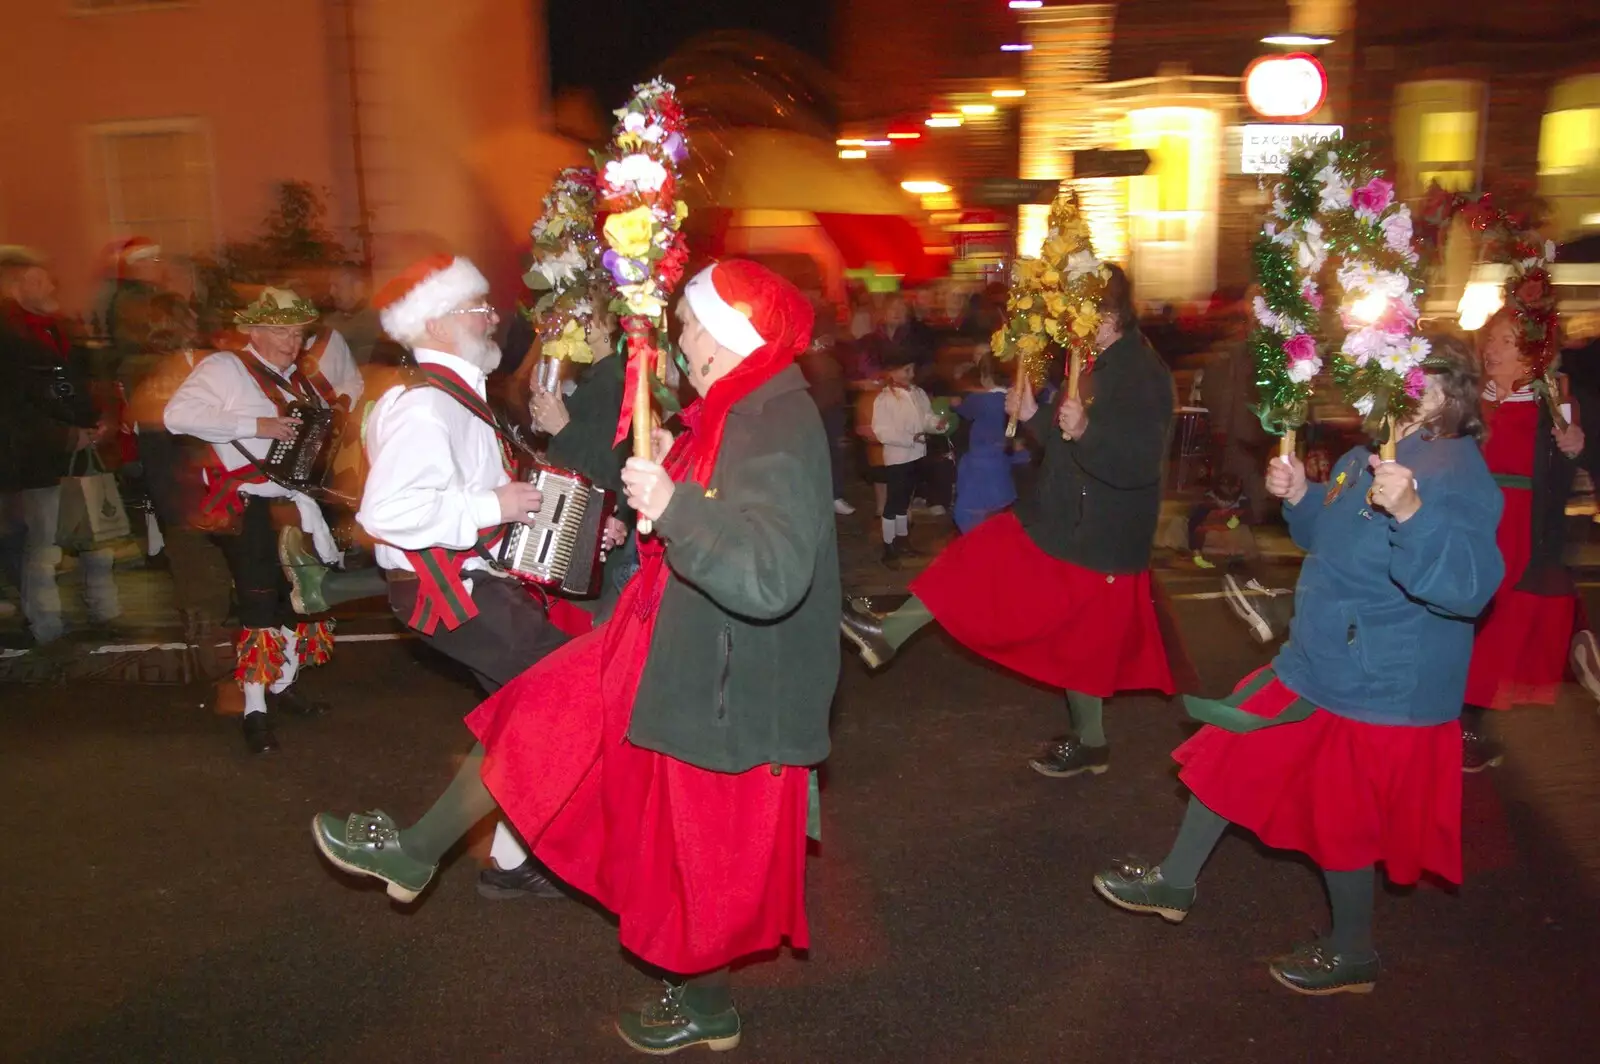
(434, 470)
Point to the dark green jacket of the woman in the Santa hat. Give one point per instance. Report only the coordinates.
(745, 657)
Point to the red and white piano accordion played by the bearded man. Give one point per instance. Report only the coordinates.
(561, 550)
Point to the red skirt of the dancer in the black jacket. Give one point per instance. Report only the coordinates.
(1054, 622)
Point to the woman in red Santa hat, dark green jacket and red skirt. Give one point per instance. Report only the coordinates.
(666, 769)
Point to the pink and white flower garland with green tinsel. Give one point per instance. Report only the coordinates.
(1338, 278)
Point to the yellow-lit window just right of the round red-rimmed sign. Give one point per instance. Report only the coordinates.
(1438, 130)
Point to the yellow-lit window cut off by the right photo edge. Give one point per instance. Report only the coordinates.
(1570, 156)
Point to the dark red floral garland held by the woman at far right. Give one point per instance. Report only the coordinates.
(1511, 239)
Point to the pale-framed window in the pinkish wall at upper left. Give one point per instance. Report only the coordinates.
(159, 183)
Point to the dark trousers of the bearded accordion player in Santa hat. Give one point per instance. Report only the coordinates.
(510, 634)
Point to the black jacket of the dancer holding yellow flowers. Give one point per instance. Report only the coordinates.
(1100, 497)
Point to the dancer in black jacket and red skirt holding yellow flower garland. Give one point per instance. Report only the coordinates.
(1065, 594)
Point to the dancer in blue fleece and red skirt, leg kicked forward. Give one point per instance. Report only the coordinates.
(1345, 748)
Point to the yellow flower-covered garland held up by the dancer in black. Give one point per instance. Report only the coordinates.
(1054, 303)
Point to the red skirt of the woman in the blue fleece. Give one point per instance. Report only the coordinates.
(1345, 793)
